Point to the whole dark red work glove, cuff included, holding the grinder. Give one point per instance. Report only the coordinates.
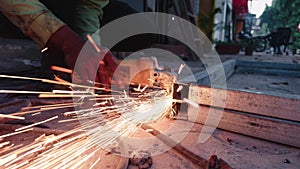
(83, 58)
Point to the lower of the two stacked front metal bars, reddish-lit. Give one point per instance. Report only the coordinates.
(276, 130)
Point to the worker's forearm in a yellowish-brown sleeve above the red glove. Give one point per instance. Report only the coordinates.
(32, 17)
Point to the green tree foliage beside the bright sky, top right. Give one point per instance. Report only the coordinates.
(283, 13)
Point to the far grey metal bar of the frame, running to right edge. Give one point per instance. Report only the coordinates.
(268, 65)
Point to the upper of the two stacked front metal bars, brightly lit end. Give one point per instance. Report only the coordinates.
(278, 106)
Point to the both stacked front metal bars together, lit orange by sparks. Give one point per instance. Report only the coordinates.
(274, 118)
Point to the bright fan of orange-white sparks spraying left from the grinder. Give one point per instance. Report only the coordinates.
(116, 116)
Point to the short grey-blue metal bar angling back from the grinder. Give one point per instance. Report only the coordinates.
(215, 75)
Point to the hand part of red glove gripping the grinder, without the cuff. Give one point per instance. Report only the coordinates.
(92, 66)
